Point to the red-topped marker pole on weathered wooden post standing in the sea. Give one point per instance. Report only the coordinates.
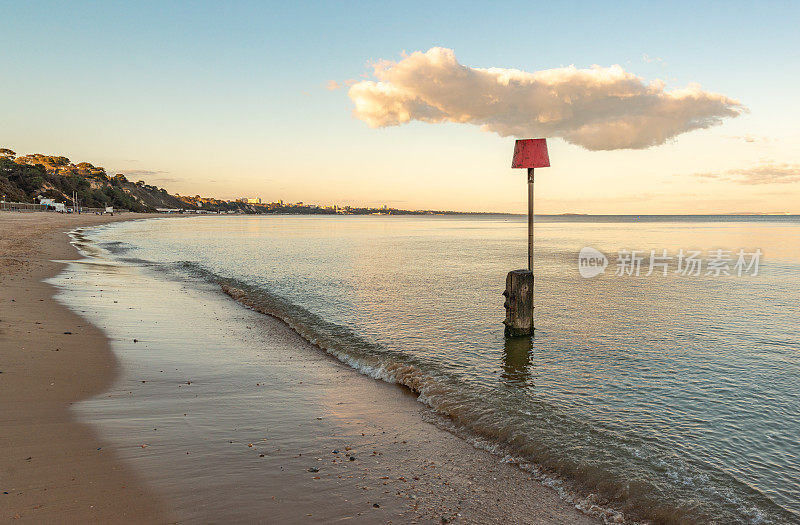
(530, 154)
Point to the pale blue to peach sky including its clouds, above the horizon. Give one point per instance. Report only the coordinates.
(409, 104)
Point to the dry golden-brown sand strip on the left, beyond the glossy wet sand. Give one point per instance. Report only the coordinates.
(55, 466)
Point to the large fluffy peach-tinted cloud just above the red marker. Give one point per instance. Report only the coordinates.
(601, 108)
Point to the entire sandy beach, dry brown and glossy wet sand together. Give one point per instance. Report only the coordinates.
(225, 414)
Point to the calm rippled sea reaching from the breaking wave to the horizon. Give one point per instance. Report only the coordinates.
(671, 397)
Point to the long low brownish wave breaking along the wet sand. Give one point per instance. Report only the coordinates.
(586, 484)
